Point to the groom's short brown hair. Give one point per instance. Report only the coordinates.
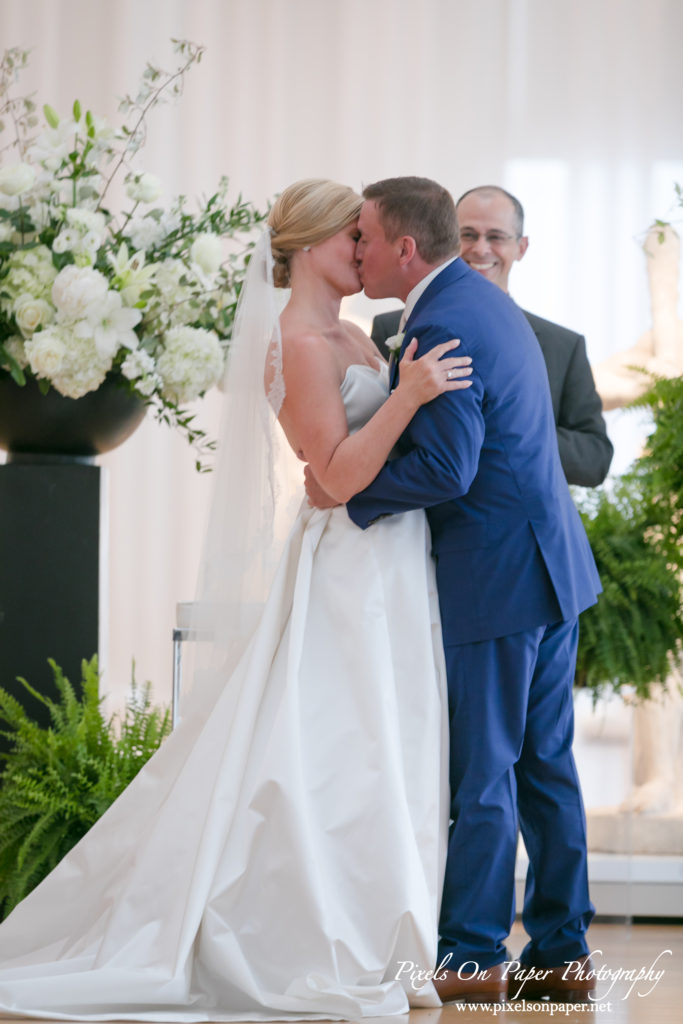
(421, 208)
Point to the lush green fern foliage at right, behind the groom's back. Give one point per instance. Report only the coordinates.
(636, 629)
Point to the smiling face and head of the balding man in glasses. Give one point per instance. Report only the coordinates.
(489, 239)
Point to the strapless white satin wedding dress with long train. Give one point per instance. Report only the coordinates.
(284, 859)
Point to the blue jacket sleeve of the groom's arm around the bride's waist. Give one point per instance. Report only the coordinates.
(445, 440)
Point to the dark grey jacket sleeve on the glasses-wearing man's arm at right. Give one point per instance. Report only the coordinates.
(586, 452)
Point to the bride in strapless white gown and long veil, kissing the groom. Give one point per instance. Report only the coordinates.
(282, 855)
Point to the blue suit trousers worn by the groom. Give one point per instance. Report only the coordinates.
(511, 764)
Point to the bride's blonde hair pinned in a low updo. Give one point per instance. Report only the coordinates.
(305, 215)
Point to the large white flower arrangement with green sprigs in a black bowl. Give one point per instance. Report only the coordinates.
(149, 295)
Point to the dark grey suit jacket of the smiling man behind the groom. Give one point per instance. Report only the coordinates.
(586, 452)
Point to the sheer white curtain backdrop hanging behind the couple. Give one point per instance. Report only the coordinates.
(574, 107)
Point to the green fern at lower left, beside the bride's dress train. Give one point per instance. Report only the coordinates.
(59, 781)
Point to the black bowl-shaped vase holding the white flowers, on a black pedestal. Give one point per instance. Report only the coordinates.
(34, 424)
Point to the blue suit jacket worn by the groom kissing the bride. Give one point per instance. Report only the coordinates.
(510, 549)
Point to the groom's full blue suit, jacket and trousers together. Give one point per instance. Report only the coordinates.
(515, 570)
